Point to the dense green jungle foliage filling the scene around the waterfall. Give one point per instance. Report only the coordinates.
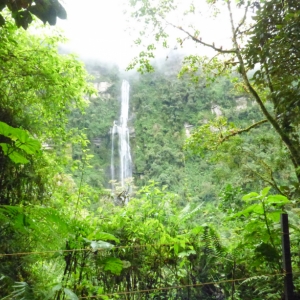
(215, 164)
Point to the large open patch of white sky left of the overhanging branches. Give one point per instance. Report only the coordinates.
(95, 29)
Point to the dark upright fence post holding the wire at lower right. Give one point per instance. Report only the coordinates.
(286, 258)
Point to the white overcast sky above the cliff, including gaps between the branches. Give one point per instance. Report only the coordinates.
(96, 30)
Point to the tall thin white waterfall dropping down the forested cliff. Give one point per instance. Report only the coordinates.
(125, 163)
